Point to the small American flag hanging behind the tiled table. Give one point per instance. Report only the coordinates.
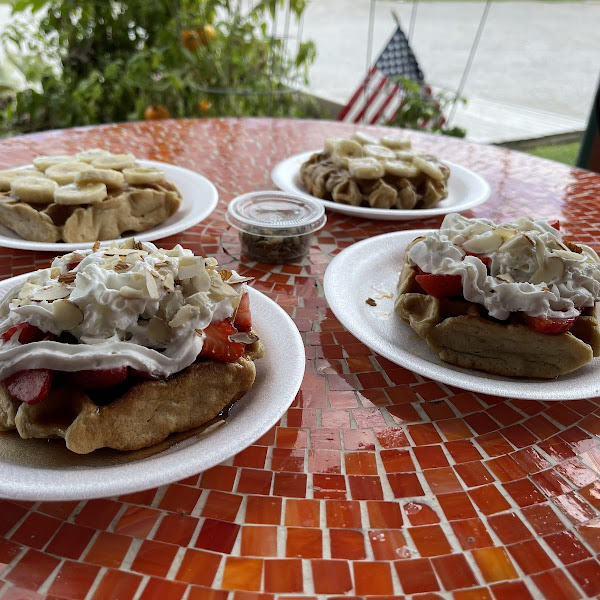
(377, 98)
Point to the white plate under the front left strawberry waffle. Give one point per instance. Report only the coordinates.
(38, 470)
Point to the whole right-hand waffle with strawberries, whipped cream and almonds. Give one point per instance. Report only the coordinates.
(515, 299)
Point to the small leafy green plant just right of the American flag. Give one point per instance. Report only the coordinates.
(423, 108)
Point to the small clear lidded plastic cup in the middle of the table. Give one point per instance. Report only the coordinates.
(275, 227)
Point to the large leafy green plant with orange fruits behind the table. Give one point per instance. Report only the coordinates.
(98, 62)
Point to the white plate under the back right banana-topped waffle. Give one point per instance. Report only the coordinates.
(466, 189)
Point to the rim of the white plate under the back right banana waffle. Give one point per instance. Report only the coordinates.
(283, 182)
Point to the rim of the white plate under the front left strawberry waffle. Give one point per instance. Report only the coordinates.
(171, 465)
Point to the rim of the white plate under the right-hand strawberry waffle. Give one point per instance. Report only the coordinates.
(437, 370)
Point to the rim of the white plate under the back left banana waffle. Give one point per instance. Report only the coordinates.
(157, 232)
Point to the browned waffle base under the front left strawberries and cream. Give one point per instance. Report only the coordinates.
(142, 415)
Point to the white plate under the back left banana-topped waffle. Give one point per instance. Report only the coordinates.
(199, 199)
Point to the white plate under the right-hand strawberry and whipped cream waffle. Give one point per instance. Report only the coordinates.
(370, 269)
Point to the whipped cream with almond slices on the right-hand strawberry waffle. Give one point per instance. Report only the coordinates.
(532, 269)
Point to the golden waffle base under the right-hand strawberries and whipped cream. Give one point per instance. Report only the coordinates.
(461, 333)
